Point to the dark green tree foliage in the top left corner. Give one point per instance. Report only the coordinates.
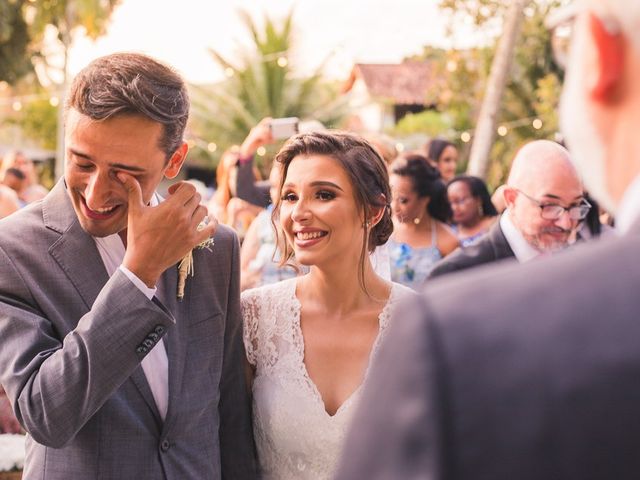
(14, 42)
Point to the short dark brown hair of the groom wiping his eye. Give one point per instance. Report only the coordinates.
(132, 83)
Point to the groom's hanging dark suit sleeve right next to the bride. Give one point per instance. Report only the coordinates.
(236, 435)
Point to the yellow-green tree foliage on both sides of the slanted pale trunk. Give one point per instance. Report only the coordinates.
(533, 89)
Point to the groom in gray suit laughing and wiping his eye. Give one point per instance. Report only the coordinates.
(110, 375)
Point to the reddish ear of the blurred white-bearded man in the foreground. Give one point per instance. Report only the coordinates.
(609, 51)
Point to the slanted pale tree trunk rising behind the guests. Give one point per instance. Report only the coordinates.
(486, 126)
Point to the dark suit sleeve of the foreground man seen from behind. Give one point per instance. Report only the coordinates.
(397, 430)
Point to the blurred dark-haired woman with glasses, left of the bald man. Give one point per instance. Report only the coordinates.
(472, 210)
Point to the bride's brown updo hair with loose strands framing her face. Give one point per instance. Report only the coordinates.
(366, 170)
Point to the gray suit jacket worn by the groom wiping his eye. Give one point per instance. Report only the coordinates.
(72, 343)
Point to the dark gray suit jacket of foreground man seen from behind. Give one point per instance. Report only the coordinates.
(537, 379)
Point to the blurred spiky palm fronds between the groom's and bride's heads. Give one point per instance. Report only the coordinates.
(261, 83)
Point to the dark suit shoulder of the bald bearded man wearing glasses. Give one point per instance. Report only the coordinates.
(490, 248)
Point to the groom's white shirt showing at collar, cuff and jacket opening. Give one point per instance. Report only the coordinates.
(156, 364)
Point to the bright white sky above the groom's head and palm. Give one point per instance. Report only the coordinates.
(180, 32)
